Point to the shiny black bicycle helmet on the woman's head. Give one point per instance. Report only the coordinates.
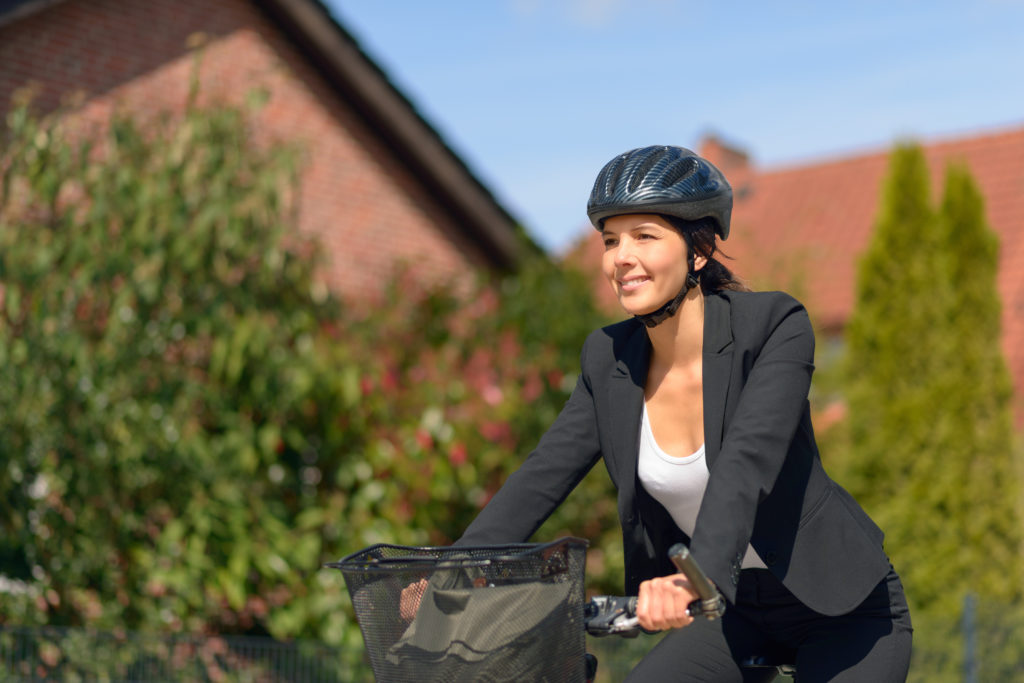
(665, 181)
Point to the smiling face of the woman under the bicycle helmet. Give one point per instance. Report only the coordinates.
(645, 262)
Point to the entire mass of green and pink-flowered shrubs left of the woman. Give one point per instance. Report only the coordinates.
(191, 424)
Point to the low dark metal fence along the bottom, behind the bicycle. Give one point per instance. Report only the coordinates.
(985, 646)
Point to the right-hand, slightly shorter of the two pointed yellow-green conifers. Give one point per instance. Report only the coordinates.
(978, 421)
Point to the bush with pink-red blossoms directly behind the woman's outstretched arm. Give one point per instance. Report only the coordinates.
(465, 409)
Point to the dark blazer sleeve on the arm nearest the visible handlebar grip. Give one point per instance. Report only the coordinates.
(756, 440)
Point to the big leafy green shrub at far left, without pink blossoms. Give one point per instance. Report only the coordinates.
(158, 353)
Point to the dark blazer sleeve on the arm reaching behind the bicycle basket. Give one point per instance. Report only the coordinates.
(565, 455)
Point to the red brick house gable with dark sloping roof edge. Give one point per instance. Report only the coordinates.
(380, 187)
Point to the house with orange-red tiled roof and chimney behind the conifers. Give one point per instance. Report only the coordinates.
(802, 228)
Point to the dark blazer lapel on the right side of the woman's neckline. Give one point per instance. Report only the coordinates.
(716, 372)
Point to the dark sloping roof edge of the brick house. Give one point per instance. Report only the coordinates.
(338, 57)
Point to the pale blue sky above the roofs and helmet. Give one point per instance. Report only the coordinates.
(537, 96)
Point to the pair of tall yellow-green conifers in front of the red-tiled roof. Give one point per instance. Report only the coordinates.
(931, 454)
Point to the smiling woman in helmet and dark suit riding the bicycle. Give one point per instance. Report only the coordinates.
(699, 407)
